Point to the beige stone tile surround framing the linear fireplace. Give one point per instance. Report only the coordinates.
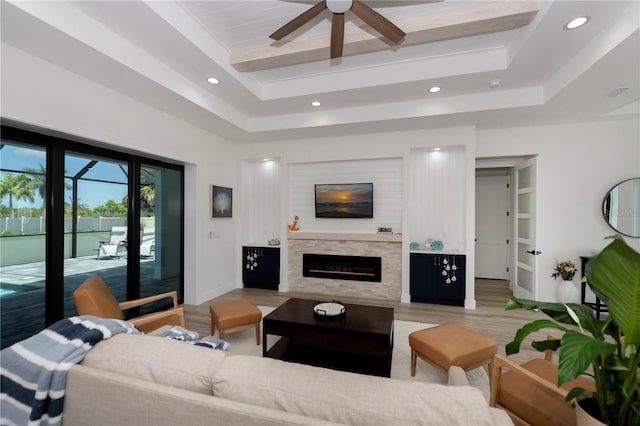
(387, 247)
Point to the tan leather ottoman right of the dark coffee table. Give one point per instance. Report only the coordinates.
(450, 344)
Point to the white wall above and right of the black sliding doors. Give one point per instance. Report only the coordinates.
(40, 94)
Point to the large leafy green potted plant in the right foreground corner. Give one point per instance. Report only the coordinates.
(608, 349)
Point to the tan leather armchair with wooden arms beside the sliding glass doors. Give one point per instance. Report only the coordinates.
(93, 297)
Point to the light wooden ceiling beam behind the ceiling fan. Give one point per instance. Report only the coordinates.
(474, 19)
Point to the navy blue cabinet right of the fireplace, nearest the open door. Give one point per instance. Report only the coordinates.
(437, 278)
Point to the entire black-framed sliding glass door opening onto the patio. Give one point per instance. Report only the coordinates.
(69, 211)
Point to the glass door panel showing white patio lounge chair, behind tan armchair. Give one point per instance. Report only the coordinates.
(95, 224)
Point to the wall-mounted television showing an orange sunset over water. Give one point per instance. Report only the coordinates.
(344, 200)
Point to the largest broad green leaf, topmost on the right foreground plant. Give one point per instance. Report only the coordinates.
(615, 272)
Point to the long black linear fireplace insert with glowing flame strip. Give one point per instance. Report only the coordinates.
(355, 268)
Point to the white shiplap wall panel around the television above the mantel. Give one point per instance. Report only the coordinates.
(385, 174)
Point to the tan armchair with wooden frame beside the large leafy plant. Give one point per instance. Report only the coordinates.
(529, 392)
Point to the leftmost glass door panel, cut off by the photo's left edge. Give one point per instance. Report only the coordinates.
(22, 240)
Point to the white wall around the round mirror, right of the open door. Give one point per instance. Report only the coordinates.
(577, 165)
